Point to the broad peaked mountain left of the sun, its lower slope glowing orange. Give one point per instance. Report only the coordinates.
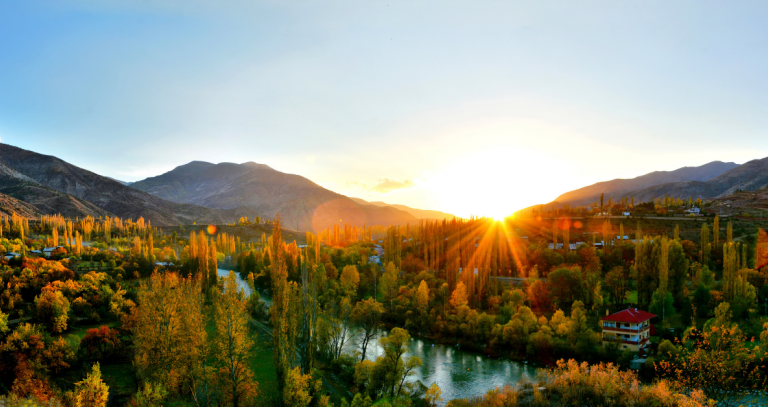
(302, 204)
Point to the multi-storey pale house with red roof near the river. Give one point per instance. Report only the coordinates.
(630, 329)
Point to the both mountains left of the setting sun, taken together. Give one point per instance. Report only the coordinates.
(197, 192)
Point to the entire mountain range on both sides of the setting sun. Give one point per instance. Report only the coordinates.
(203, 192)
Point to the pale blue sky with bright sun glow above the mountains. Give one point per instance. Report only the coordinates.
(472, 108)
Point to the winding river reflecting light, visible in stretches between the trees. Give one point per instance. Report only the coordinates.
(459, 373)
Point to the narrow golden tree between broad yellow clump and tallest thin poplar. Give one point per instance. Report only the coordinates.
(232, 344)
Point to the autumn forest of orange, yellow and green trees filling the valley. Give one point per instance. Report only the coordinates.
(110, 311)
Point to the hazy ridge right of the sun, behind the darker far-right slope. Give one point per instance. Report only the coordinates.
(627, 187)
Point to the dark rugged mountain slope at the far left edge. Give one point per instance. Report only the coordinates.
(42, 179)
